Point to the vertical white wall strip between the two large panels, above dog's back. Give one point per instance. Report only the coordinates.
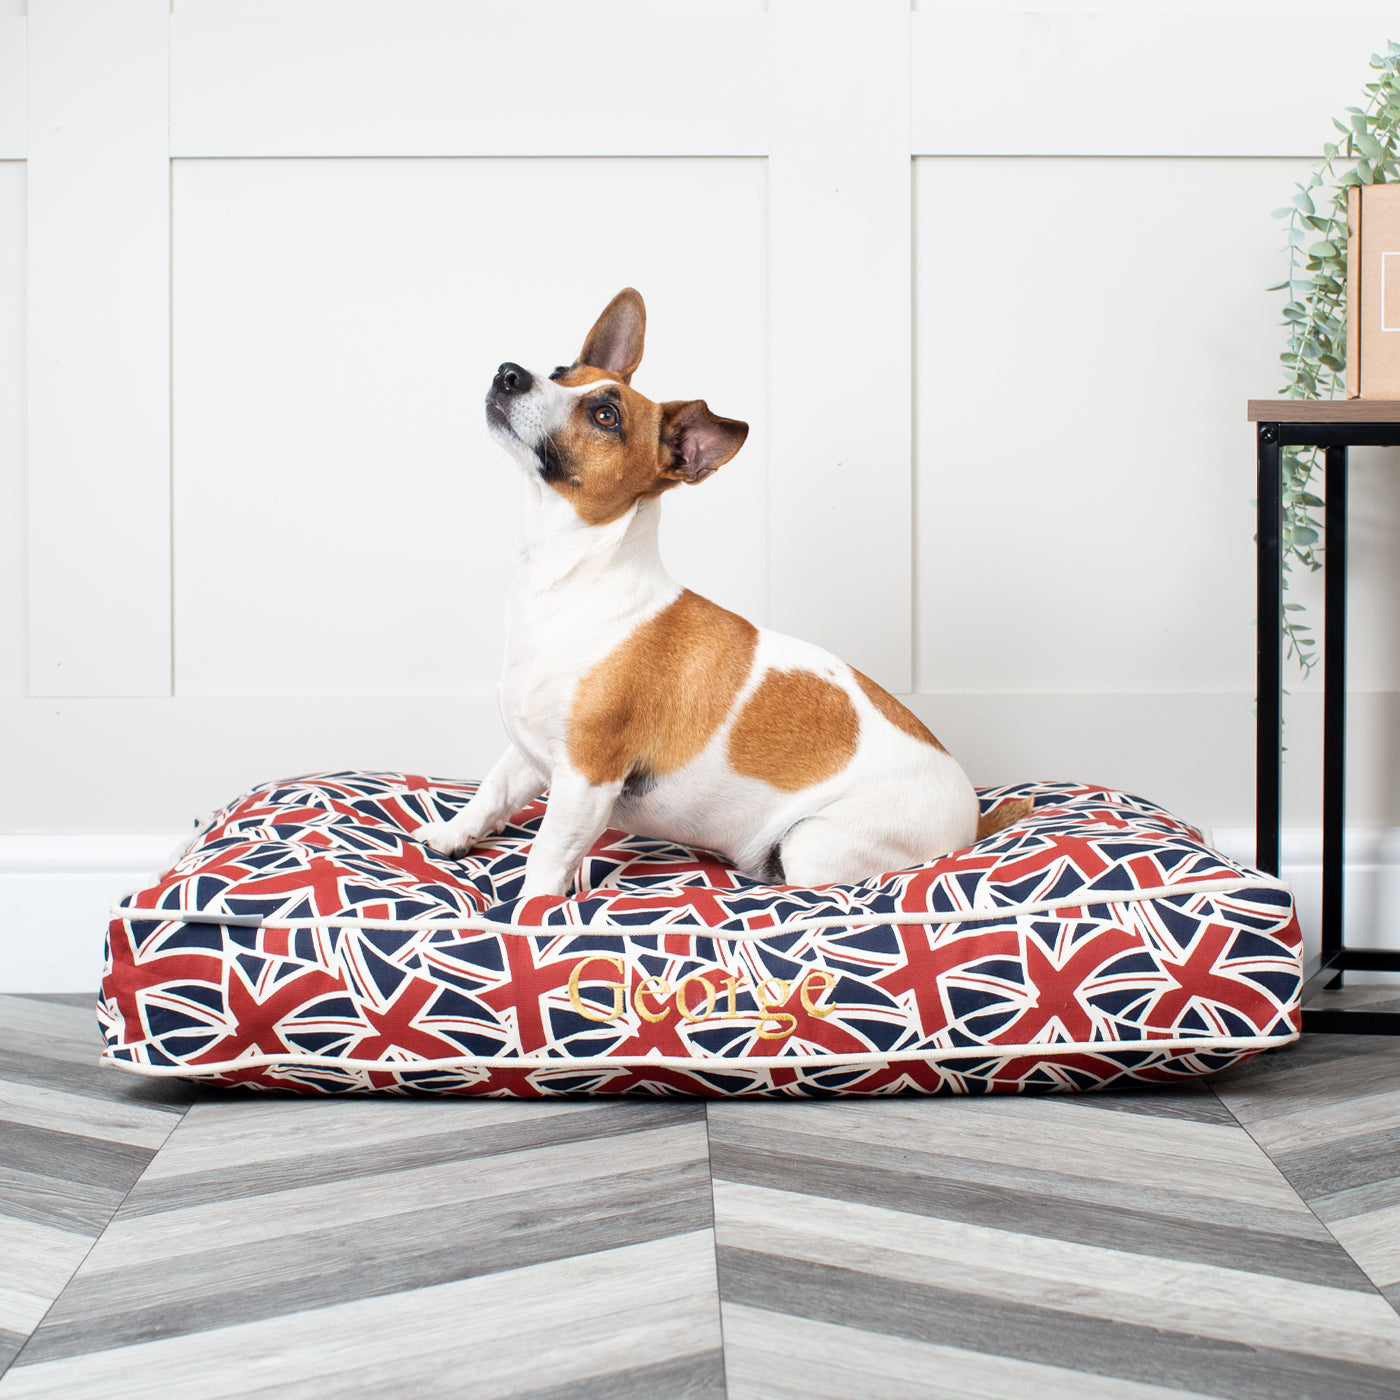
(841, 265)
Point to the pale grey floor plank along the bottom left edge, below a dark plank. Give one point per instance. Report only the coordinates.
(549, 1326)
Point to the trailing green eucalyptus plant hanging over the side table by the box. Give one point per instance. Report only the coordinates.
(1315, 314)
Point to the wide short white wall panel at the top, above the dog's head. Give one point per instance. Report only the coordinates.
(506, 85)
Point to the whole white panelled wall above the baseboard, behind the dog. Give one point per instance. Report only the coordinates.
(988, 281)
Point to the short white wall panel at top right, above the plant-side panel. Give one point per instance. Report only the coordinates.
(1136, 85)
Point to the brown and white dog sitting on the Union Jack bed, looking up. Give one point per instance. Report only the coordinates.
(643, 706)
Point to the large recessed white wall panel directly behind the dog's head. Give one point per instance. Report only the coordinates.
(344, 526)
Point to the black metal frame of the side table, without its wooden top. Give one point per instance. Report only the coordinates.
(1335, 958)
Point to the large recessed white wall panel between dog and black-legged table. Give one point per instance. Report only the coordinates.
(1114, 503)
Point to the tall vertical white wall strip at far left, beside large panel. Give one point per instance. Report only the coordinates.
(99, 331)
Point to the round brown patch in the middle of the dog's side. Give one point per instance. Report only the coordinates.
(794, 731)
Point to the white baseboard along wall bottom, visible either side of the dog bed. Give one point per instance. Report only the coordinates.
(55, 892)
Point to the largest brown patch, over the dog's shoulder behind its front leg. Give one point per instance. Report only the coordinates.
(650, 706)
